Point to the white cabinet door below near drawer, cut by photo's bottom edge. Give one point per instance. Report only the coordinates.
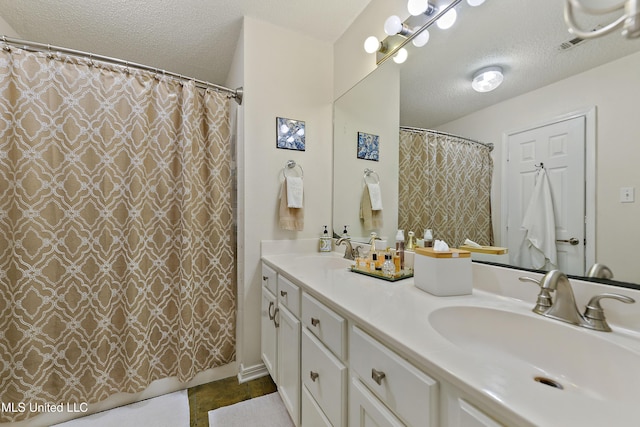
(365, 410)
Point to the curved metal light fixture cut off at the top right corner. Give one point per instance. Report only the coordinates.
(629, 21)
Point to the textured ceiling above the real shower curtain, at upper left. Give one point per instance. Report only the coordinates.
(196, 38)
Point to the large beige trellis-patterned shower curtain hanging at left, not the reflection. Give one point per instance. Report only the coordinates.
(117, 240)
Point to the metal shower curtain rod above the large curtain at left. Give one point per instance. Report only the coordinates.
(41, 47)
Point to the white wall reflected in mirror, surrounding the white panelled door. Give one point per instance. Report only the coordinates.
(613, 89)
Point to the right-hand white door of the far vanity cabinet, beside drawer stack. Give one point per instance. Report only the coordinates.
(289, 362)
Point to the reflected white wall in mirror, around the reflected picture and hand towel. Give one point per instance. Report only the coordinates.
(372, 106)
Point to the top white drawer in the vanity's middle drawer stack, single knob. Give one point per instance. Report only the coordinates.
(329, 327)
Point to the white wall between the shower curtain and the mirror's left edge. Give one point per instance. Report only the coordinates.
(286, 74)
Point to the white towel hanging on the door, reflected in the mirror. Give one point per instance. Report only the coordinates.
(538, 249)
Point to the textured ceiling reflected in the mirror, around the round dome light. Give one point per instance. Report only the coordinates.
(523, 37)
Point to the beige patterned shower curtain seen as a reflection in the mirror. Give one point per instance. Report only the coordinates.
(445, 185)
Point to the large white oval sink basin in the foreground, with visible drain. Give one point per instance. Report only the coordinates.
(548, 351)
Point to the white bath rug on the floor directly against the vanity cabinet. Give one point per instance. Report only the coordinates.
(264, 411)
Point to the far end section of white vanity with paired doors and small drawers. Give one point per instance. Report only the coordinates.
(280, 339)
